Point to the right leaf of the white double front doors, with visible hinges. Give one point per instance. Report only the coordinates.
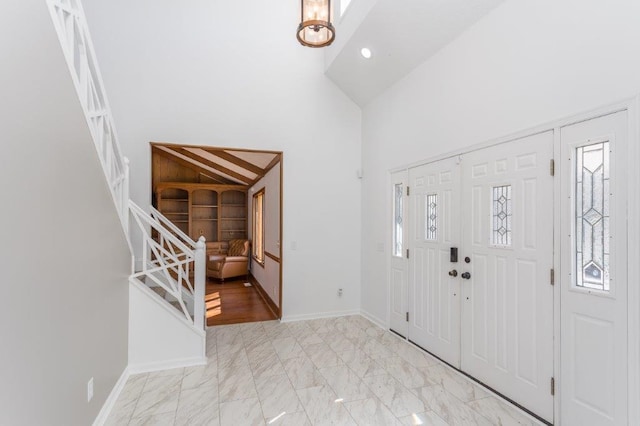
(507, 257)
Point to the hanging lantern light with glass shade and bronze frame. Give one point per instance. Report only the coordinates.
(315, 29)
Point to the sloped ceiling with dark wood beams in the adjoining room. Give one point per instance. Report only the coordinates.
(221, 165)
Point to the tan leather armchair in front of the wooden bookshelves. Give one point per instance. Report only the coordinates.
(227, 260)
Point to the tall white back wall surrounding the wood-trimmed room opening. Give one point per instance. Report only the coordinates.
(231, 73)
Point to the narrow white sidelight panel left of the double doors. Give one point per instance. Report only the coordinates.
(399, 263)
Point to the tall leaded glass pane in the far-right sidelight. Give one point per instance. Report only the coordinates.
(592, 216)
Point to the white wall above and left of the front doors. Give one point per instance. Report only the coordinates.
(526, 63)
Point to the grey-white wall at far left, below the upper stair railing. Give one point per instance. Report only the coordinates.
(64, 257)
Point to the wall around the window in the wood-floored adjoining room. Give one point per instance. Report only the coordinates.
(268, 275)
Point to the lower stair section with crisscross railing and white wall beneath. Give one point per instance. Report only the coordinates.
(166, 314)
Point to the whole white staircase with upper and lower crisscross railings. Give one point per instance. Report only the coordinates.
(166, 297)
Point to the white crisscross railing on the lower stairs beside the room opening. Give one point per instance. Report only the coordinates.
(167, 262)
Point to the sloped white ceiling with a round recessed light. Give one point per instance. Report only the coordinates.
(401, 34)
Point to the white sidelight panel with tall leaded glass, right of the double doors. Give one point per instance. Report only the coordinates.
(593, 381)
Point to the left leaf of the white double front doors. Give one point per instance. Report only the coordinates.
(434, 294)
